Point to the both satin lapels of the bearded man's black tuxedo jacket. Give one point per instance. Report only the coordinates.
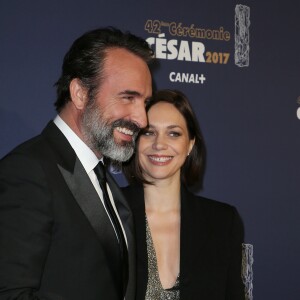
(87, 198)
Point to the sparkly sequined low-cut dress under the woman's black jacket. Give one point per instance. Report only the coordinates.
(155, 291)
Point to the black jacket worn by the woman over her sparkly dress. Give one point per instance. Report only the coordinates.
(210, 247)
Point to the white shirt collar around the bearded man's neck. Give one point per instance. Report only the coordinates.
(86, 156)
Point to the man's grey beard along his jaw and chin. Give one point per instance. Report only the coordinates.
(99, 136)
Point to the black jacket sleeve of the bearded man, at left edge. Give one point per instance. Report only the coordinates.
(25, 227)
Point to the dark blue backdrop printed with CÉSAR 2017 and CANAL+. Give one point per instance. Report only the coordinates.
(239, 64)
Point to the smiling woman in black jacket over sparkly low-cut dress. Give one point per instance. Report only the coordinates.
(188, 247)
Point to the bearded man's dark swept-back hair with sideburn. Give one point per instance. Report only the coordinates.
(85, 59)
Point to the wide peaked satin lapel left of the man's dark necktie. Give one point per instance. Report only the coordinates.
(81, 187)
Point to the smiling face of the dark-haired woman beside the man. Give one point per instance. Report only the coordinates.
(164, 144)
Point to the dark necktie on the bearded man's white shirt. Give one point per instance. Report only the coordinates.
(101, 175)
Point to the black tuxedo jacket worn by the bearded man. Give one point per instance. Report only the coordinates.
(53, 236)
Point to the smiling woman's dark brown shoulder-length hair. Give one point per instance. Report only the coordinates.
(193, 167)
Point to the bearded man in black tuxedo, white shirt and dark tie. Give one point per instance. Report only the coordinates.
(58, 240)
